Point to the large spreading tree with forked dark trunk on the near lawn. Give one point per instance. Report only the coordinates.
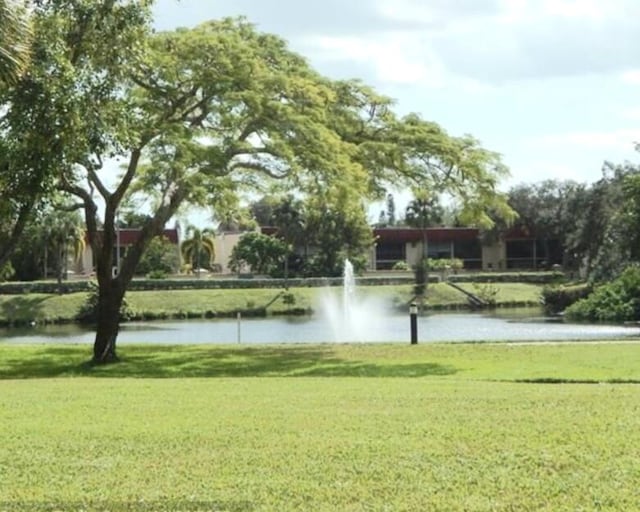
(203, 115)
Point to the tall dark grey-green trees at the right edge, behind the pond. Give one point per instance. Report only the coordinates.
(595, 226)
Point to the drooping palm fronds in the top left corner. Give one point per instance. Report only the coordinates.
(15, 40)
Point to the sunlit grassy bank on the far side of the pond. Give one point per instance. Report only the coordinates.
(50, 308)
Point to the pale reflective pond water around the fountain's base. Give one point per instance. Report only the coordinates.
(457, 327)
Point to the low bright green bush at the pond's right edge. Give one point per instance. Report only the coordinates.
(617, 301)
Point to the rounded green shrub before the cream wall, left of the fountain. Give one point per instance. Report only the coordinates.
(264, 254)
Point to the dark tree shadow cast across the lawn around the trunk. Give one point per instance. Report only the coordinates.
(209, 362)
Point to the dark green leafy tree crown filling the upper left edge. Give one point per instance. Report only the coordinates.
(62, 110)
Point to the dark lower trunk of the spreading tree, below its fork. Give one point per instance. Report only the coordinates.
(107, 325)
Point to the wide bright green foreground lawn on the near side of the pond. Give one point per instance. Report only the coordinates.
(473, 427)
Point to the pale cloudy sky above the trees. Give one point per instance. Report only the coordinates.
(552, 85)
